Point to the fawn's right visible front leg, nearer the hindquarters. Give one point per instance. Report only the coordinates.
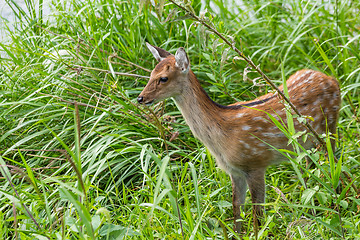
(256, 182)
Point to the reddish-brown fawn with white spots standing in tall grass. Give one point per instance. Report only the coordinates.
(239, 136)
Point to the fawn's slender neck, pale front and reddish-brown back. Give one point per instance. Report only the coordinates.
(203, 116)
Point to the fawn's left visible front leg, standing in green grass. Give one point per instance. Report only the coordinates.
(239, 191)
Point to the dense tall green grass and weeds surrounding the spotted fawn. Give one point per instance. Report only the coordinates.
(81, 160)
